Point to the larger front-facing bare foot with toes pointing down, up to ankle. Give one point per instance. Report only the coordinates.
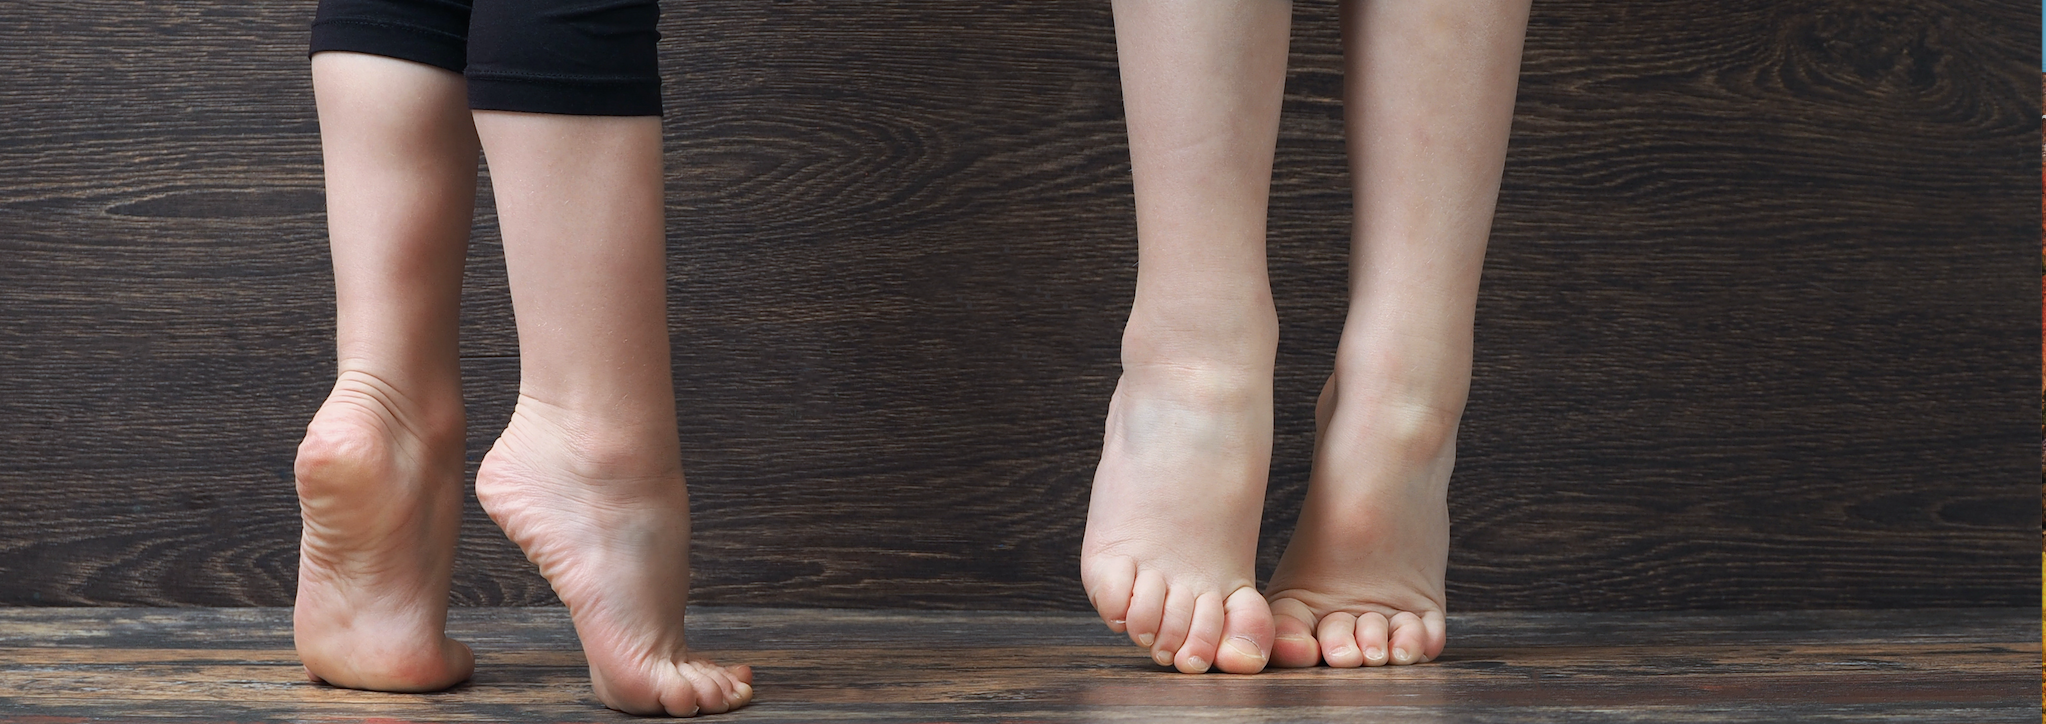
(1173, 518)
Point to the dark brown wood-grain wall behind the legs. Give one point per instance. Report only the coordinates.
(1754, 328)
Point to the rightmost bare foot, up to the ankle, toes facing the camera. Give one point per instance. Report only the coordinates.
(1362, 582)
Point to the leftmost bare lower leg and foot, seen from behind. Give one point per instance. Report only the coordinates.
(382, 465)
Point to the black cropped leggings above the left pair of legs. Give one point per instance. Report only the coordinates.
(590, 58)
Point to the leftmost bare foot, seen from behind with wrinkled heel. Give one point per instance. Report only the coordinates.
(382, 496)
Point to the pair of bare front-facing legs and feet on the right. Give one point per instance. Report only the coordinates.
(1429, 101)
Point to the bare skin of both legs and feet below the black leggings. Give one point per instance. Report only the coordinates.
(586, 478)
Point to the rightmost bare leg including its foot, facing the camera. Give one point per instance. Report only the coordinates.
(1429, 99)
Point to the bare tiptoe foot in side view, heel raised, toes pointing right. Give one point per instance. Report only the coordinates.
(605, 512)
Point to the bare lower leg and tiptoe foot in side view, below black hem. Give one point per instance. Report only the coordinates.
(588, 476)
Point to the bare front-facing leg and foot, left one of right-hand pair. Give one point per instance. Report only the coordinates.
(1173, 525)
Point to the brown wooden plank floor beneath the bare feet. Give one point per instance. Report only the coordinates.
(836, 666)
